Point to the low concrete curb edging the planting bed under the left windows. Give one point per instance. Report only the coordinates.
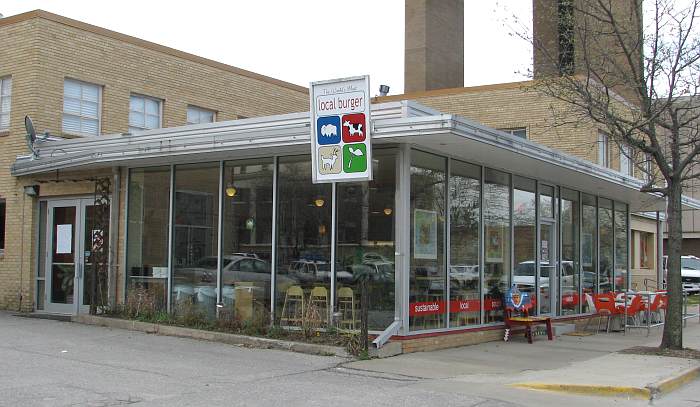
(213, 336)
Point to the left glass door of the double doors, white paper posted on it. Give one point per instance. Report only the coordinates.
(62, 259)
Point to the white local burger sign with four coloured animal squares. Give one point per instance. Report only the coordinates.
(341, 147)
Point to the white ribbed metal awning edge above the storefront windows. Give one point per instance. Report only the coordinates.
(393, 122)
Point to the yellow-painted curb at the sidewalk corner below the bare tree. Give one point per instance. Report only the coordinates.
(648, 392)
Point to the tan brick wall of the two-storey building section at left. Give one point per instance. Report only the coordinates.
(42, 49)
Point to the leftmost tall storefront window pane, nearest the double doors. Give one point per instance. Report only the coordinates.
(147, 236)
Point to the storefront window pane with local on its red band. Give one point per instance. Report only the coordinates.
(465, 208)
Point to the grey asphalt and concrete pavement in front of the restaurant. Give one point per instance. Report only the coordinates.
(51, 363)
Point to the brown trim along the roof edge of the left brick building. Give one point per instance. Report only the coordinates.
(17, 18)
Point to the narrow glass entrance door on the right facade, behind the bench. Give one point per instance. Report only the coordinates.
(546, 289)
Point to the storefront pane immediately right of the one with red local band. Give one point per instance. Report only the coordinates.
(497, 243)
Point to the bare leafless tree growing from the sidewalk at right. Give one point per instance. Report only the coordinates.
(636, 79)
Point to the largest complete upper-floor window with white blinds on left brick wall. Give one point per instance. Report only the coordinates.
(81, 108)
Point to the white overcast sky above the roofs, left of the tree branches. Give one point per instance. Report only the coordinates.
(305, 41)
